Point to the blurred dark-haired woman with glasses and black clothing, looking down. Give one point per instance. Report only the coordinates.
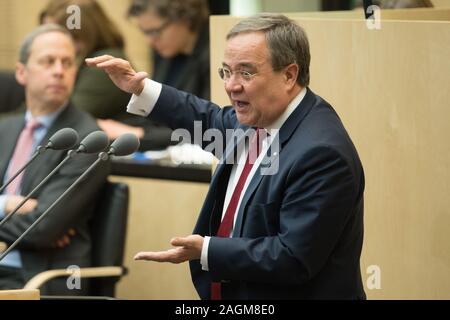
(178, 33)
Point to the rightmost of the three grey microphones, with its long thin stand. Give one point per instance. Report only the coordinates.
(122, 146)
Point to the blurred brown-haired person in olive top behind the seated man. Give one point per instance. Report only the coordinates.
(98, 35)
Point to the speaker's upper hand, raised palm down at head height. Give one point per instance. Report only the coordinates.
(120, 72)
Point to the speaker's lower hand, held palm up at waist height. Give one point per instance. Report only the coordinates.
(188, 248)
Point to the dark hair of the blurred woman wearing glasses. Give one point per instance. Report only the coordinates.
(192, 12)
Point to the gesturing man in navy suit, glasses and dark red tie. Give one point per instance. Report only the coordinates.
(292, 232)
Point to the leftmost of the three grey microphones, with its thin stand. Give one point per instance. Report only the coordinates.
(61, 140)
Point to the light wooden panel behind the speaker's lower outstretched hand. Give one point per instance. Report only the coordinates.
(159, 211)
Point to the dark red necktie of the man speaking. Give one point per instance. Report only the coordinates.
(226, 226)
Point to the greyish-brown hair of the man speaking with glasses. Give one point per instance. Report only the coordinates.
(286, 40)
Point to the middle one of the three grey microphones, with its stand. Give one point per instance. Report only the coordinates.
(93, 143)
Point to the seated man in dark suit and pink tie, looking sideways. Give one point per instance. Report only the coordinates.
(47, 70)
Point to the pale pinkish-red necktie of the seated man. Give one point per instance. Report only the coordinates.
(22, 153)
